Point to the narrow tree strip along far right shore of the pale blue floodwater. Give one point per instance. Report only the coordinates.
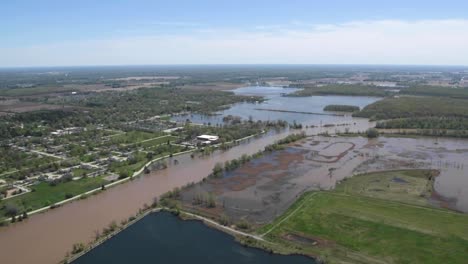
(342, 89)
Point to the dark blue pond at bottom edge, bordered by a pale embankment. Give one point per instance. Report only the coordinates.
(164, 238)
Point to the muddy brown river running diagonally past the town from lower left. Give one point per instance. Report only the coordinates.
(46, 237)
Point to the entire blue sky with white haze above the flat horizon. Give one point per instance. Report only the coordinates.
(104, 32)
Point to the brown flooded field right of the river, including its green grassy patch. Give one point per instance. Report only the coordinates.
(264, 188)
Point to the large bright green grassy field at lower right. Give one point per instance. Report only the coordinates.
(353, 227)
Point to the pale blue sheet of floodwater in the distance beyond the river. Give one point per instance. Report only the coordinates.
(275, 100)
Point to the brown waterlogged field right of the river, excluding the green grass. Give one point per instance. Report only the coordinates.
(265, 187)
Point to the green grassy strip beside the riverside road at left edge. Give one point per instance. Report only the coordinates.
(44, 194)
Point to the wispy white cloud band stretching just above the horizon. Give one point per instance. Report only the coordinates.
(441, 42)
